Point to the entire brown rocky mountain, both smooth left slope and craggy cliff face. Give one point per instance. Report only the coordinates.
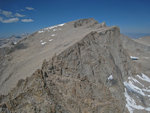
(87, 69)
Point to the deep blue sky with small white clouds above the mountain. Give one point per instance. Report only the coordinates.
(27, 16)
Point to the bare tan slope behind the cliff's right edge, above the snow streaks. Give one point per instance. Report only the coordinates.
(138, 49)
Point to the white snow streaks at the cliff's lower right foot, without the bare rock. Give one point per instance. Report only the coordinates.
(129, 86)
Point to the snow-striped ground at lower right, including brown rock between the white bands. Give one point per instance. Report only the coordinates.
(134, 87)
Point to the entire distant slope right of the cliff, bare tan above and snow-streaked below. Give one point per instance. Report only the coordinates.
(137, 91)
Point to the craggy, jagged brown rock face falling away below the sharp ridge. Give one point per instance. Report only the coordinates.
(77, 80)
